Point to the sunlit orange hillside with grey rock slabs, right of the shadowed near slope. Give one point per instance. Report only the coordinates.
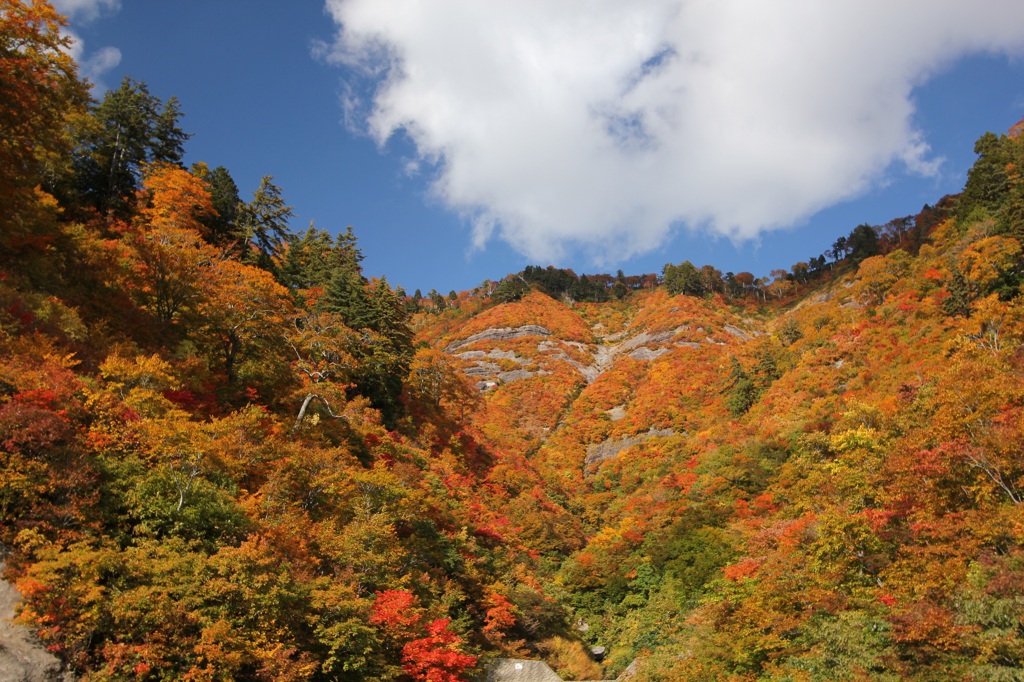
(753, 487)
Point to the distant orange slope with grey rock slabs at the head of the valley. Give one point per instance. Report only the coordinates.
(580, 386)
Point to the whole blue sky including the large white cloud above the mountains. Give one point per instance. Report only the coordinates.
(444, 195)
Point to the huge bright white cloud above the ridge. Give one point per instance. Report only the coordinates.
(601, 124)
